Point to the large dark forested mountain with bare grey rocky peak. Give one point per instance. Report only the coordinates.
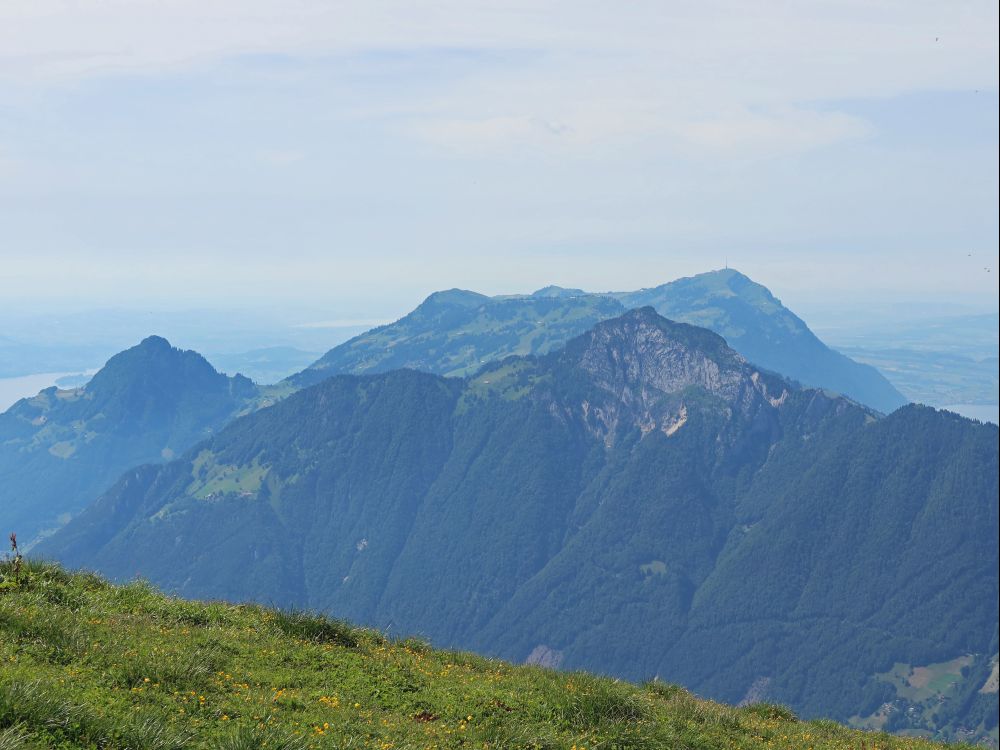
(641, 502)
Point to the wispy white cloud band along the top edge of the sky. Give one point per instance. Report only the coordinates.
(878, 44)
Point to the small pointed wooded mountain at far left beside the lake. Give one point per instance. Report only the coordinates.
(63, 447)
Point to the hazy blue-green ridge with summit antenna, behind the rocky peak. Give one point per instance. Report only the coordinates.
(455, 332)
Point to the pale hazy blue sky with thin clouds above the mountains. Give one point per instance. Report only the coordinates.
(354, 156)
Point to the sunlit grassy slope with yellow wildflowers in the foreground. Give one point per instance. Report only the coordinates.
(90, 665)
